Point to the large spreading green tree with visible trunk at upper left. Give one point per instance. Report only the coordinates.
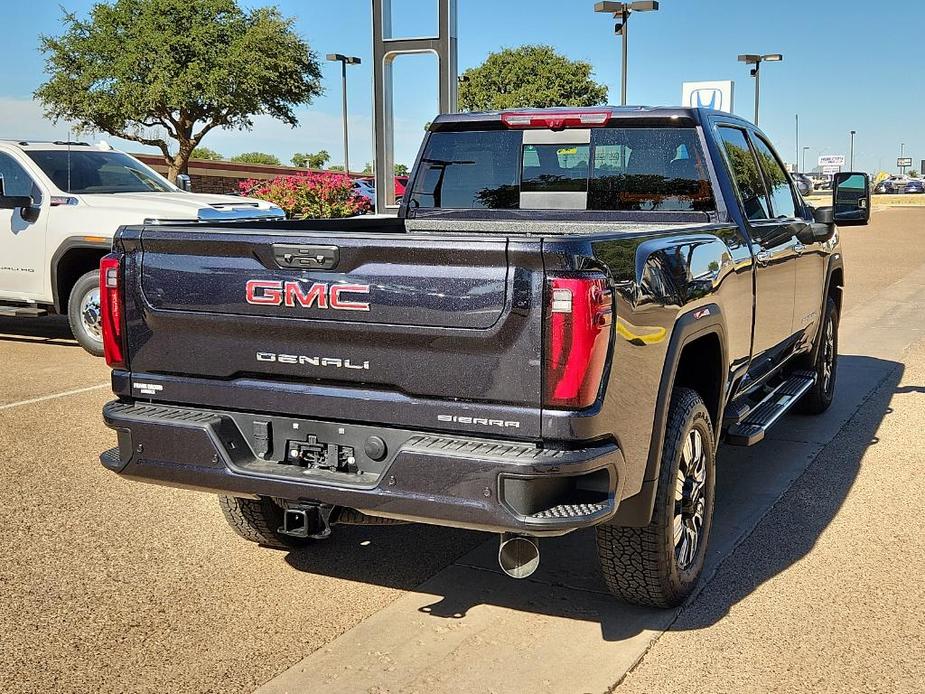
(151, 71)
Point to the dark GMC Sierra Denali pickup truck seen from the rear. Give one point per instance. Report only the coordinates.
(570, 312)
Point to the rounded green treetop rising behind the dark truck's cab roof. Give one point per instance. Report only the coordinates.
(529, 76)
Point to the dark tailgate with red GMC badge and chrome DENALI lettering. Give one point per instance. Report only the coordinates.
(392, 326)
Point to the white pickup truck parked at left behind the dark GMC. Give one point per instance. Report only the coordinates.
(60, 205)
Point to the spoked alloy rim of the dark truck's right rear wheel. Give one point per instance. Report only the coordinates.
(689, 503)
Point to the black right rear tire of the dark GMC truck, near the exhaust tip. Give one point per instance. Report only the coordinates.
(648, 566)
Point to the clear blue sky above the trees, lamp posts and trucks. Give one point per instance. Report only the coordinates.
(848, 65)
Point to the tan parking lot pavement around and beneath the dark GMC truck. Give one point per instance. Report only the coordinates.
(815, 577)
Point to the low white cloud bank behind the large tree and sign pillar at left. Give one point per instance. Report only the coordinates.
(23, 119)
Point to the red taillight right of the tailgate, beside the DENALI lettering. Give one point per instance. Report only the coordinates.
(577, 339)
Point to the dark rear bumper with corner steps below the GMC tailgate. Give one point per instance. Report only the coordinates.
(481, 484)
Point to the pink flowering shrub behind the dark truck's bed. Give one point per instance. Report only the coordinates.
(314, 195)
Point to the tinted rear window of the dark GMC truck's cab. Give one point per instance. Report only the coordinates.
(622, 169)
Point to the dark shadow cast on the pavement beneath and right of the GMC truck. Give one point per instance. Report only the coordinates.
(800, 468)
